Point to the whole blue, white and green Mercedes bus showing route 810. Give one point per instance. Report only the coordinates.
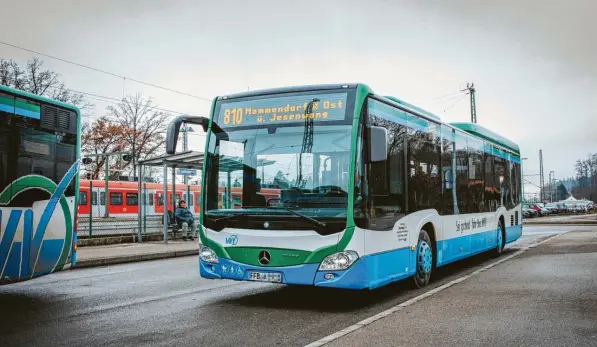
(372, 189)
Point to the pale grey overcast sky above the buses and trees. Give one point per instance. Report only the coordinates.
(534, 63)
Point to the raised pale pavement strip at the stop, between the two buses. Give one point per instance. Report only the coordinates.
(133, 252)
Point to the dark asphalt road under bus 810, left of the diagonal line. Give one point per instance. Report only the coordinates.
(166, 303)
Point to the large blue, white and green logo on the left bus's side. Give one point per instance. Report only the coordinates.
(26, 251)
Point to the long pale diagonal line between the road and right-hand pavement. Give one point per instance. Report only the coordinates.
(365, 322)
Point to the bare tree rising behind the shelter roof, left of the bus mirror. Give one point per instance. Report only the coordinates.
(143, 126)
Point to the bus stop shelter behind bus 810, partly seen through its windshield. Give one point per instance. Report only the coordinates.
(185, 160)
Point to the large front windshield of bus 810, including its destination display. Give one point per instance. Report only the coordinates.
(280, 153)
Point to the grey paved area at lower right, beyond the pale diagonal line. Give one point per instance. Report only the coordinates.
(545, 296)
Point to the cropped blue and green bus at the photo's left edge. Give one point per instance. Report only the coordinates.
(39, 162)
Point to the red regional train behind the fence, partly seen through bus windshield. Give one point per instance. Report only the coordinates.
(123, 197)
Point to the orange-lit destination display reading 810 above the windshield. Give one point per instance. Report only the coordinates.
(282, 110)
